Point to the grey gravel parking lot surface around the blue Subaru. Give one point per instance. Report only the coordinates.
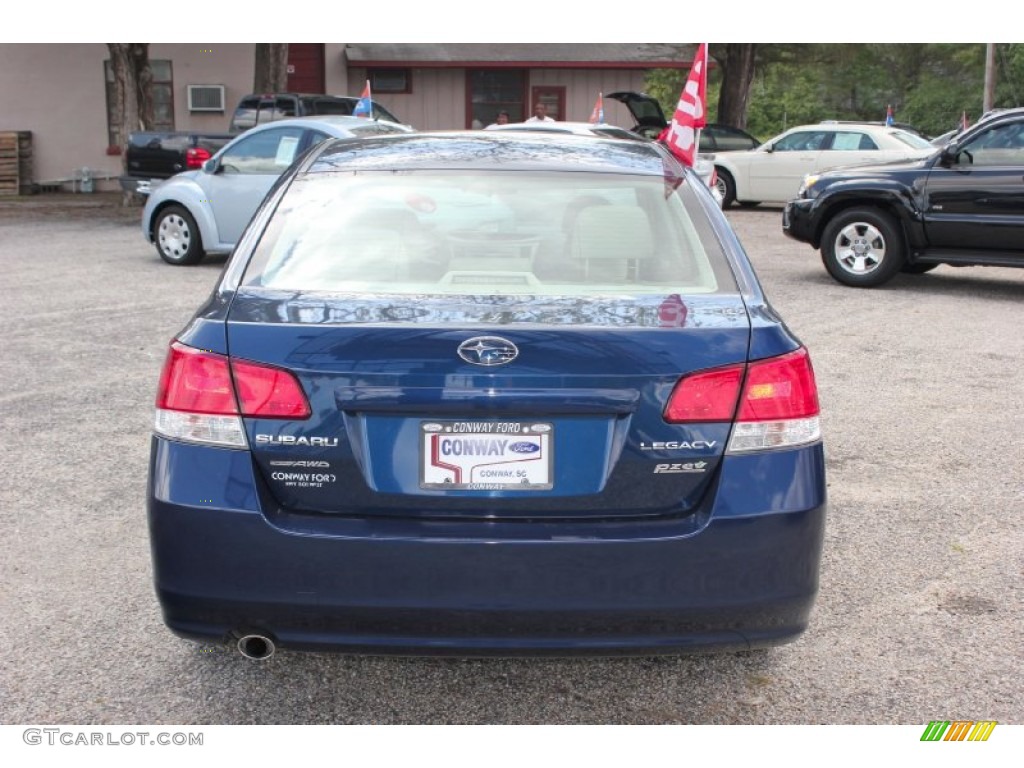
(920, 613)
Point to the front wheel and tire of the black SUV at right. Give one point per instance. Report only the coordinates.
(863, 247)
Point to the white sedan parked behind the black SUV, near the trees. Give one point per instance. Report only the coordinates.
(773, 174)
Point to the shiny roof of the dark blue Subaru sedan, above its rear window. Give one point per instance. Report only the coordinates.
(492, 151)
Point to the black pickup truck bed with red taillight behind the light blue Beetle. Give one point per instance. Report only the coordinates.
(153, 157)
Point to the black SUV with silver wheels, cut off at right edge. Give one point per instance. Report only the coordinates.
(961, 206)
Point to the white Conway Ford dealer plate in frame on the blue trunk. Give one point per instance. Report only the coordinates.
(487, 455)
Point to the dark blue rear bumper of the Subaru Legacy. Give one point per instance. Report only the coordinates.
(738, 580)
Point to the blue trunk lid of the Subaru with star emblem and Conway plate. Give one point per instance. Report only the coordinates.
(406, 423)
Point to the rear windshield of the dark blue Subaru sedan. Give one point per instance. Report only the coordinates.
(422, 233)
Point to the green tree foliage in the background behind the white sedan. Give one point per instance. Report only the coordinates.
(929, 86)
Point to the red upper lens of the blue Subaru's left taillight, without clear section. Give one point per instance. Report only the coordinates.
(201, 382)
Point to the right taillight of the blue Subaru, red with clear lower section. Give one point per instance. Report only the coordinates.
(778, 407)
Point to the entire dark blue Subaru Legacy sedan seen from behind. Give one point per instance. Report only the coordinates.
(488, 394)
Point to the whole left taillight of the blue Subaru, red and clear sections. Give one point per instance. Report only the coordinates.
(203, 397)
